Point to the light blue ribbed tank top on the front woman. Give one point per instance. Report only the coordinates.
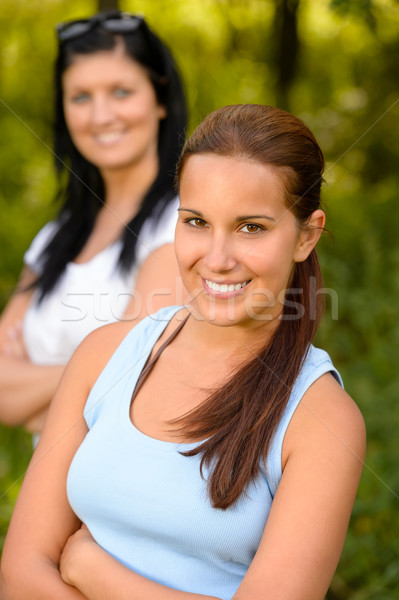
(146, 504)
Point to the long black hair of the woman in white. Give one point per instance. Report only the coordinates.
(81, 187)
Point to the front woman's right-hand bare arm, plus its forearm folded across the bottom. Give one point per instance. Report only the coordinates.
(302, 542)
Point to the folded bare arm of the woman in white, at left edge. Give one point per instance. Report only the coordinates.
(25, 388)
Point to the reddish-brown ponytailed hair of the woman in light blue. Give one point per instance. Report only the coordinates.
(240, 418)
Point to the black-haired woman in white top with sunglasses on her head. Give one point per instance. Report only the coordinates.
(120, 118)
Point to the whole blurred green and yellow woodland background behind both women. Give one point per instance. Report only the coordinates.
(335, 64)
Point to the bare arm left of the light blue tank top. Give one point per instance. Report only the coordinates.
(43, 520)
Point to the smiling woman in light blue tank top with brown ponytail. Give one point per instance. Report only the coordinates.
(210, 451)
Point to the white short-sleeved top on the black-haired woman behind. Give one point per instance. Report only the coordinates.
(87, 295)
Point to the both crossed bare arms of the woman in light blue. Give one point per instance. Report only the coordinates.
(48, 556)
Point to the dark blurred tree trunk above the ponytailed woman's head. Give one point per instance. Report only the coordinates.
(287, 47)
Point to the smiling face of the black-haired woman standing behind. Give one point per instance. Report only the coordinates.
(111, 110)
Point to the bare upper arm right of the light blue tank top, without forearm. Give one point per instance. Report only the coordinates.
(323, 455)
